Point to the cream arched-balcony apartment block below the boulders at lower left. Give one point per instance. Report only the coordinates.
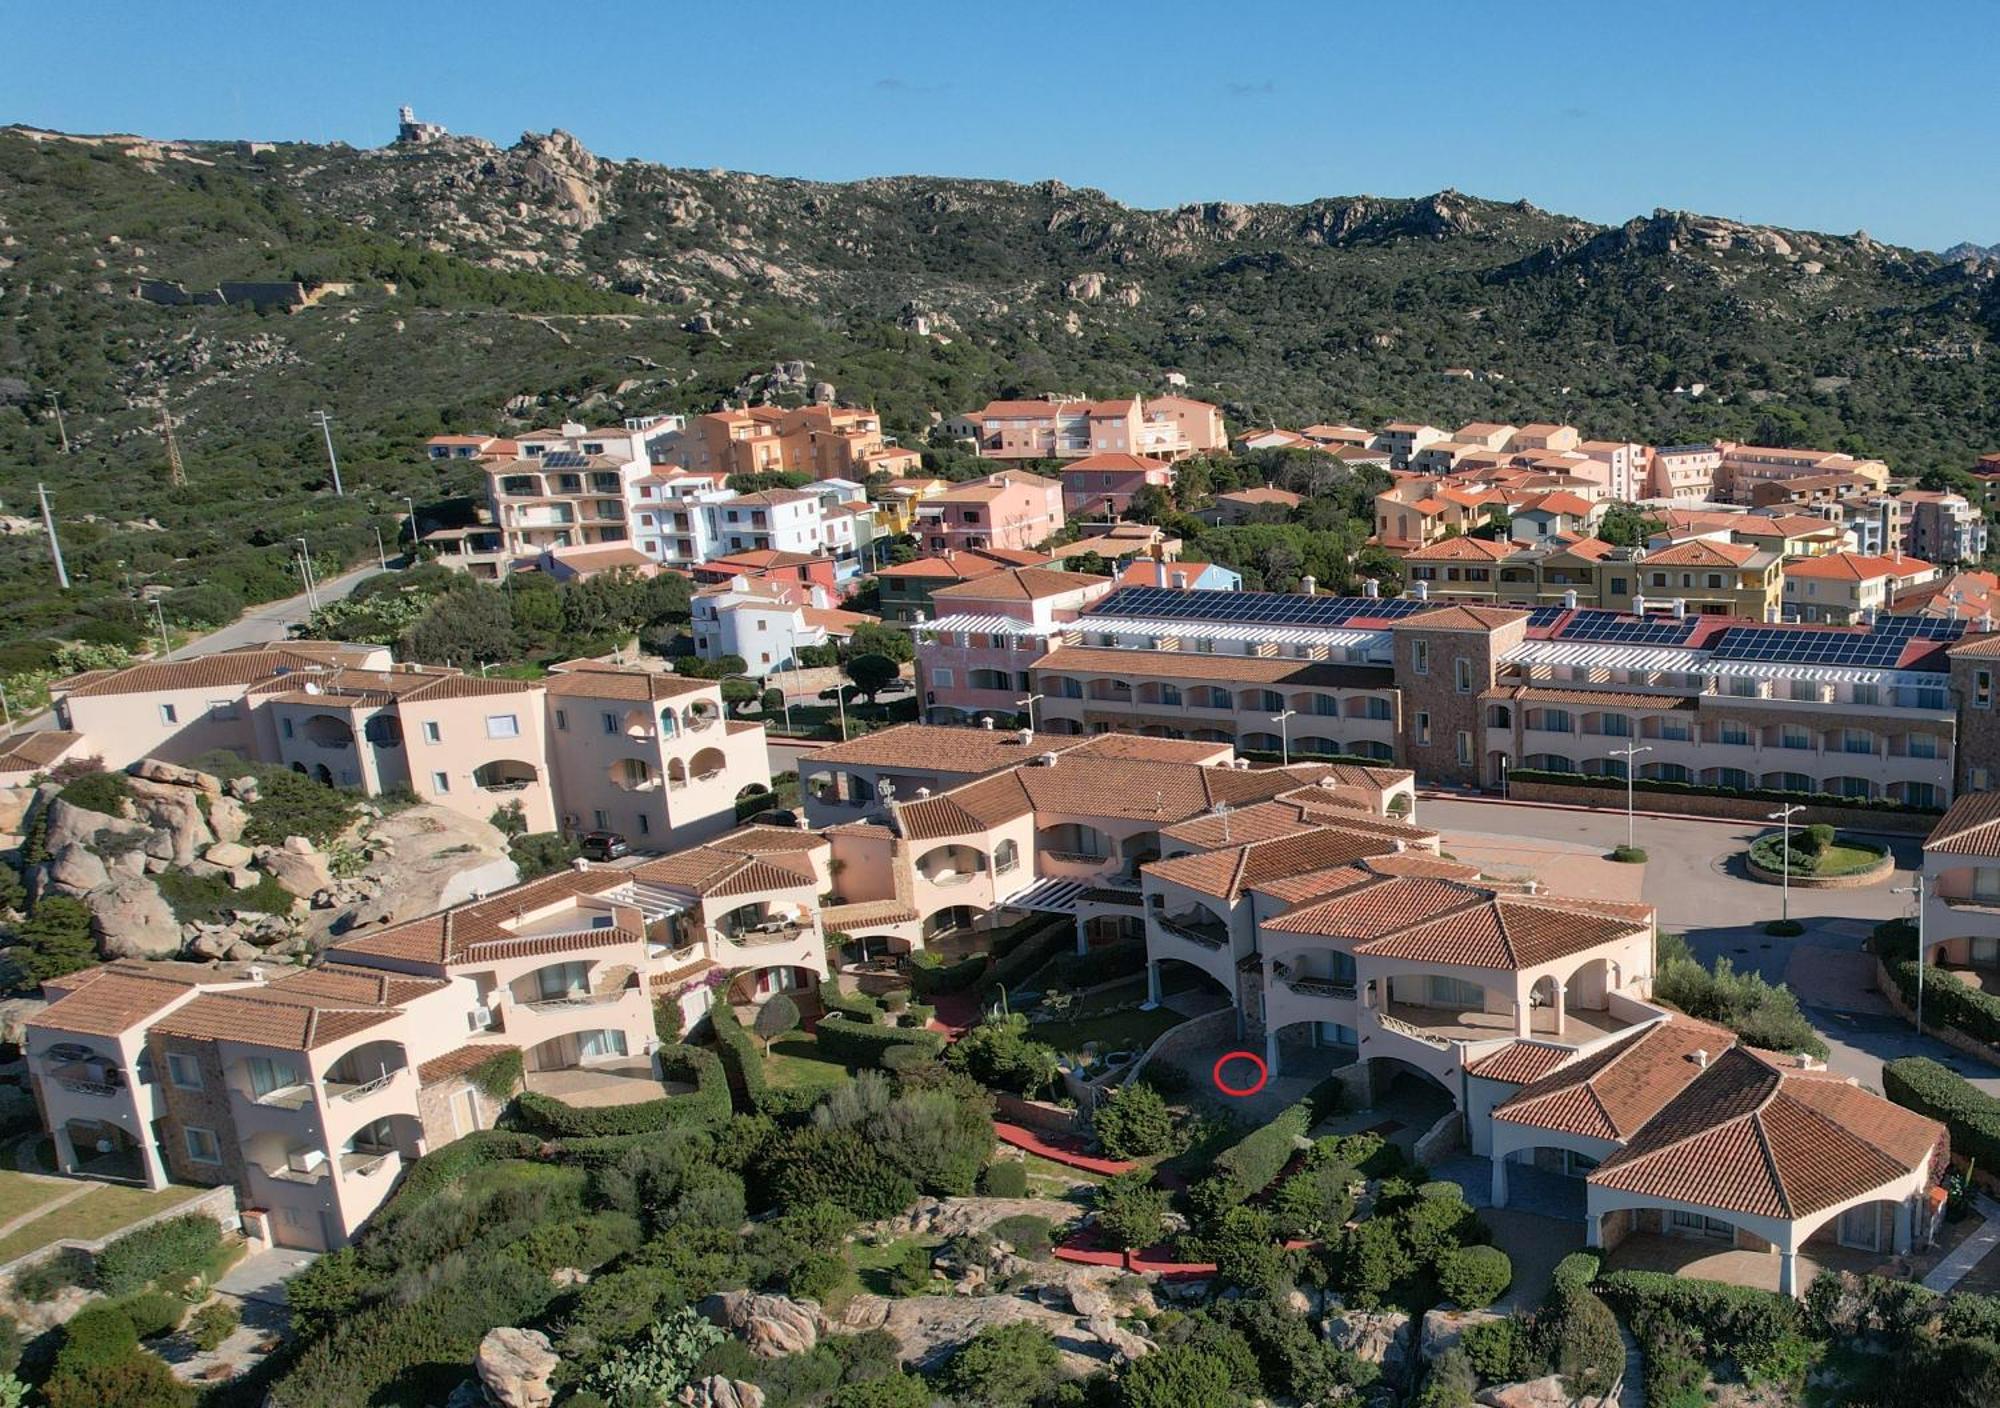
(311, 1089)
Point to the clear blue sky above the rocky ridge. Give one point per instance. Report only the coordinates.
(1829, 117)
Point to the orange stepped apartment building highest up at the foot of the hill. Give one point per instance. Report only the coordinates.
(821, 441)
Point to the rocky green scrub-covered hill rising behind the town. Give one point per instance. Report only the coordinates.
(489, 285)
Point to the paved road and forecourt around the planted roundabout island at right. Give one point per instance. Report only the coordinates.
(1699, 887)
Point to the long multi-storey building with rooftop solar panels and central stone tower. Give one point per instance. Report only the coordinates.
(1465, 693)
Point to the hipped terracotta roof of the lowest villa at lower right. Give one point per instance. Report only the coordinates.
(1745, 1137)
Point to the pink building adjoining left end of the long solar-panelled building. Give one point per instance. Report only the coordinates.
(975, 657)
